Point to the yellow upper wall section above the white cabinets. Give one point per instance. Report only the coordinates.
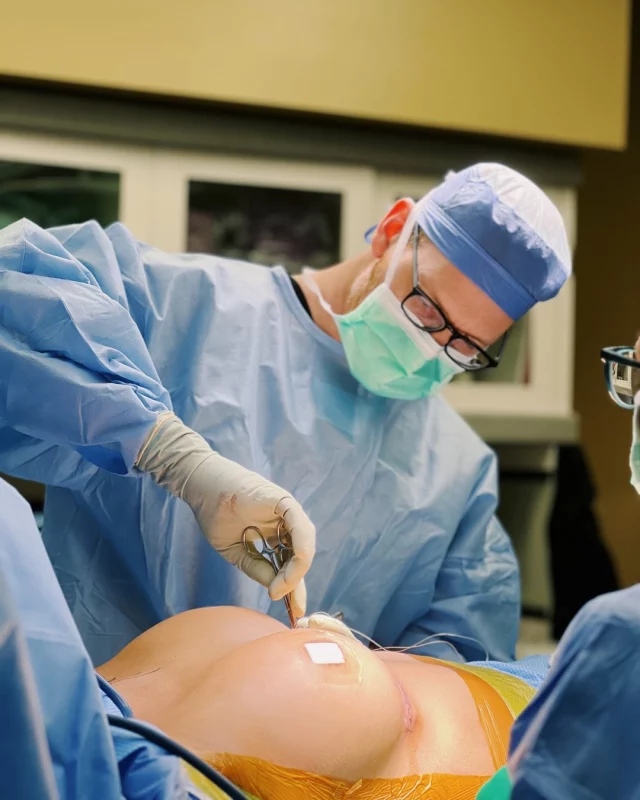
(546, 69)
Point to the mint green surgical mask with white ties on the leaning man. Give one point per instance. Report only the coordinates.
(386, 353)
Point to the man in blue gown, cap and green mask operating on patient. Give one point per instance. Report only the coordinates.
(327, 385)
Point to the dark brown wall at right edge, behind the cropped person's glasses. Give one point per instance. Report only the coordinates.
(608, 313)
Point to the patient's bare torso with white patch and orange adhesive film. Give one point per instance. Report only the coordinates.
(313, 713)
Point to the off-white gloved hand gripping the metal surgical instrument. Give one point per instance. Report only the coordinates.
(227, 498)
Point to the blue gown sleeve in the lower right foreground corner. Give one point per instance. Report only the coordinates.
(578, 738)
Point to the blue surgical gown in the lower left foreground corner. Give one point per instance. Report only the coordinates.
(56, 740)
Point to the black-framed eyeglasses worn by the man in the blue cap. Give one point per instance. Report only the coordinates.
(425, 314)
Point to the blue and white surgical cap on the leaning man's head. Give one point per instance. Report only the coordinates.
(502, 232)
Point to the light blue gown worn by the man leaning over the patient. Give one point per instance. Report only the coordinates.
(100, 333)
